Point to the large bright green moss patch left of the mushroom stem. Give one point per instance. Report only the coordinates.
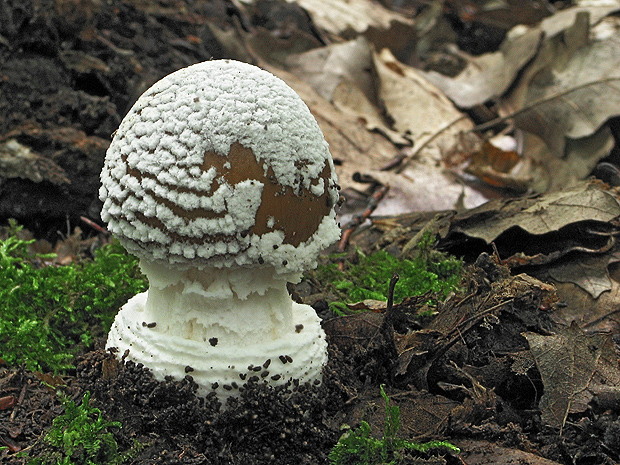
(49, 313)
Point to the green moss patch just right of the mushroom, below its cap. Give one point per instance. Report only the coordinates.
(429, 271)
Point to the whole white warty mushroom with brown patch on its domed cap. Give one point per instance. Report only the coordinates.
(220, 180)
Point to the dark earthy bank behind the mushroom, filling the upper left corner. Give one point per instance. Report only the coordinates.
(69, 71)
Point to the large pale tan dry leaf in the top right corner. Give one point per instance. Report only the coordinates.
(571, 88)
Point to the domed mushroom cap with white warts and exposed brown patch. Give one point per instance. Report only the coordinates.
(221, 164)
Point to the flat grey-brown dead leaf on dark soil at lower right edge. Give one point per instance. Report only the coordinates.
(572, 365)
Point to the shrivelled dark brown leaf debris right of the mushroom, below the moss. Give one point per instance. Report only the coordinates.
(475, 320)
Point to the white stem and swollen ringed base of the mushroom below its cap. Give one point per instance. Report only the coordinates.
(223, 327)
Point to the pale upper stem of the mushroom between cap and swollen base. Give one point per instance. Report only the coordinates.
(249, 304)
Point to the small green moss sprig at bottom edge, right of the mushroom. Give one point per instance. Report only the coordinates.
(358, 447)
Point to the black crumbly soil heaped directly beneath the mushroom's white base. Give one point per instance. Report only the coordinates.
(281, 425)
